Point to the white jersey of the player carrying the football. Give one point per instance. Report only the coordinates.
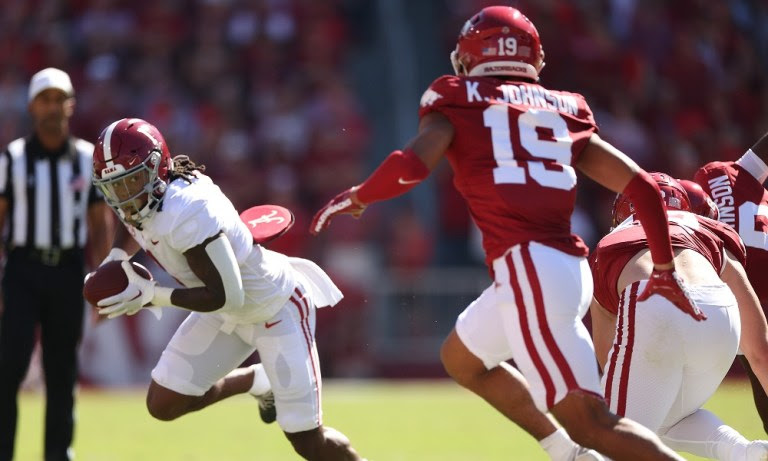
(193, 212)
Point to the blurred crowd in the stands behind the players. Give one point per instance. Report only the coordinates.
(260, 91)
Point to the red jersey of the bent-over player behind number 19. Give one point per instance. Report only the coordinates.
(687, 230)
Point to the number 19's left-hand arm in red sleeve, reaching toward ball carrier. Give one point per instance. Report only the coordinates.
(400, 172)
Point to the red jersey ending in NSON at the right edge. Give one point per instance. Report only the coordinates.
(743, 204)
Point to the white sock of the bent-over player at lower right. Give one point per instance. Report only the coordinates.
(704, 434)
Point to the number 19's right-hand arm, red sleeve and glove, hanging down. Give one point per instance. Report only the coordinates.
(613, 169)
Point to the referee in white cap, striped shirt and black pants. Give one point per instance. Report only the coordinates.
(49, 210)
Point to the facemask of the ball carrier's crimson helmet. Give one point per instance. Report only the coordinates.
(136, 193)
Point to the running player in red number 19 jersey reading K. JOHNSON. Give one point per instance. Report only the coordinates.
(514, 147)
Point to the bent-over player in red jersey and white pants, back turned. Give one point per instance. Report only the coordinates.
(659, 365)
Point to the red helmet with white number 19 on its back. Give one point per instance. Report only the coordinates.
(499, 40)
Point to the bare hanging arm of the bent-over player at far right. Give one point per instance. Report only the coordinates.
(754, 330)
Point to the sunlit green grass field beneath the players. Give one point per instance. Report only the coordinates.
(386, 421)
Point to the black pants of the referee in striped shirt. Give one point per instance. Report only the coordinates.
(35, 294)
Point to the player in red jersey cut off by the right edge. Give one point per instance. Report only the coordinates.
(737, 190)
